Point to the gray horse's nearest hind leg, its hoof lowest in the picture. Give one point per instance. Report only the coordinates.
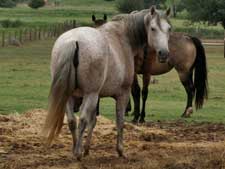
(87, 111)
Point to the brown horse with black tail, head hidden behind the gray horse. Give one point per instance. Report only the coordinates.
(187, 56)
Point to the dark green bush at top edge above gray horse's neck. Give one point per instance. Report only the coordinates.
(128, 6)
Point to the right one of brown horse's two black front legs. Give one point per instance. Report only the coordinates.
(146, 80)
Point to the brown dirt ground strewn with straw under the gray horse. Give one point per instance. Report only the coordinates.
(151, 146)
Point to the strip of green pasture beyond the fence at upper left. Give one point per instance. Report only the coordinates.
(68, 10)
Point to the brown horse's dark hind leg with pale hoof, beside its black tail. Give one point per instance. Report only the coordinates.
(188, 84)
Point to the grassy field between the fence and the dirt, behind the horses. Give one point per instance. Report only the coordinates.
(25, 80)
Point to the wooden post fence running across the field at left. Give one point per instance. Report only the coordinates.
(20, 36)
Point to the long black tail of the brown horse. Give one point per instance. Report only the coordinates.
(200, 79)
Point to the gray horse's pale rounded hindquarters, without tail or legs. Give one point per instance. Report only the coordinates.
(92, 56)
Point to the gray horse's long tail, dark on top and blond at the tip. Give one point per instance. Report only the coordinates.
(63, 84)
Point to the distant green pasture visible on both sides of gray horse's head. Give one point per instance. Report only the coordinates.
(82, 10)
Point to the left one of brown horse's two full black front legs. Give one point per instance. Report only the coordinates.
(136, 96)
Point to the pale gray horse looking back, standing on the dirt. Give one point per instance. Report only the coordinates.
(99, 62)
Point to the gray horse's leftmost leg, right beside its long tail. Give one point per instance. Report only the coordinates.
(72, 122)
